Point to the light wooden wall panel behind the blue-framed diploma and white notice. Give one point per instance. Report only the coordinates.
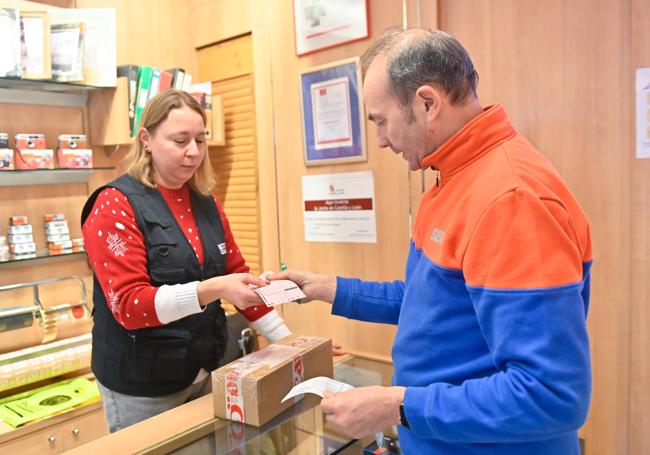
(381, 261)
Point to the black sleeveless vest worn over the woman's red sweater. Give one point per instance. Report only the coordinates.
(162, 360)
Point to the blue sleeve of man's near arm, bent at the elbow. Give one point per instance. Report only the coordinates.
(538, 343)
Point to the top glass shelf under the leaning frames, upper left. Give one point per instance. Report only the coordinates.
(49, 93)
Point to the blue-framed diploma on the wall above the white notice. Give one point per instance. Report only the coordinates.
(333, 122)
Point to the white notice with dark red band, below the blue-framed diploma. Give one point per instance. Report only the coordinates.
(339, 207)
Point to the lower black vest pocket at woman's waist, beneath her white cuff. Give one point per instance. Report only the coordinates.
(157, 357)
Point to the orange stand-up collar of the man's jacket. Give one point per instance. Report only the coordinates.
(481, 134)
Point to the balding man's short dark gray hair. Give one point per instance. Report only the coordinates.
(419, 57)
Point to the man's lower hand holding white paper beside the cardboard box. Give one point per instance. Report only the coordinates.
(364, 410)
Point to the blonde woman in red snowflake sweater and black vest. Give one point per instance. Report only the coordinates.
(163, 255)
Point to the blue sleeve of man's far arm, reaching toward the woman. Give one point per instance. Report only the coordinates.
(369, 301)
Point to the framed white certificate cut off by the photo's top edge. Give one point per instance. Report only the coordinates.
(321, 24)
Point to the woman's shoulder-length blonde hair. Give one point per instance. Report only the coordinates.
(139, 164)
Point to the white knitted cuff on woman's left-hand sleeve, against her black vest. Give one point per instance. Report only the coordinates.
(176, 301)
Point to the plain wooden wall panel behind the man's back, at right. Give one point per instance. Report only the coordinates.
(563, 71)
